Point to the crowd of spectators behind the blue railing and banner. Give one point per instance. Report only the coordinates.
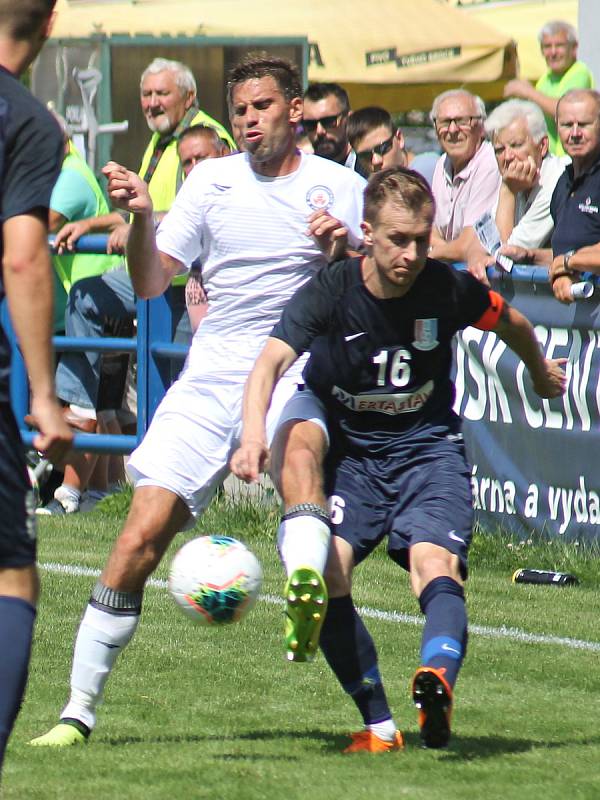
(518, 173)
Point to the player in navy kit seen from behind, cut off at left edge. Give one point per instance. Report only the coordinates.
(30, 158)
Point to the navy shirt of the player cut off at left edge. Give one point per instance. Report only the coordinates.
(31, 146)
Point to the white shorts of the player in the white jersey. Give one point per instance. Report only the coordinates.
(193, 435)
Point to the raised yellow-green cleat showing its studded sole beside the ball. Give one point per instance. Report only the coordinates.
(306, 605)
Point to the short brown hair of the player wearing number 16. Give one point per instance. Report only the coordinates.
(401, 186)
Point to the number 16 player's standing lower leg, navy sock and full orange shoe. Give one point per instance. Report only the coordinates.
(350, 652)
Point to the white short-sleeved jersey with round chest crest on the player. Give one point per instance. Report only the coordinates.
(250, 234)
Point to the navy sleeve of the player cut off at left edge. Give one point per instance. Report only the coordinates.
(33, 156)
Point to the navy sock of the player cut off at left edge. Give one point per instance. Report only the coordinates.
(16, 628)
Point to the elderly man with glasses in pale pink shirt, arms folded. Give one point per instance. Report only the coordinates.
(466, 180)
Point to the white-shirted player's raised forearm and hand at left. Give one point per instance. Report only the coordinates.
(151, 270)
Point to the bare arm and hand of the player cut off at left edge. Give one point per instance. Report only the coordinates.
(29, 289)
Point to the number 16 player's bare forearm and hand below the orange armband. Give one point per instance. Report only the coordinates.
(547, 374)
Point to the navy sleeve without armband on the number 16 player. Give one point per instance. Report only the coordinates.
(309, 311)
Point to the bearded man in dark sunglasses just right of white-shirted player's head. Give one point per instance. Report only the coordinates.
(324, 119)
